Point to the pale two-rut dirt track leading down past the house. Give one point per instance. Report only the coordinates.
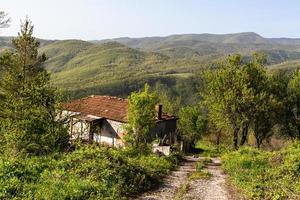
(213, 188)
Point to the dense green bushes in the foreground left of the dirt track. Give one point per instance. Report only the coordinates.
(91, 172)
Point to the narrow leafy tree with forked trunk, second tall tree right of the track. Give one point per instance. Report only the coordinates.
(260, 106)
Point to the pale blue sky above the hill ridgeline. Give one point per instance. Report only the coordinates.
(101, 19)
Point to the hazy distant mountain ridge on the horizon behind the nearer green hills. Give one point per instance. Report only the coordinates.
(195, 46)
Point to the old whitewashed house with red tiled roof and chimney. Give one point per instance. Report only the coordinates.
(101, 119)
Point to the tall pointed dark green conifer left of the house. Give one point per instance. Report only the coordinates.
(28, 101)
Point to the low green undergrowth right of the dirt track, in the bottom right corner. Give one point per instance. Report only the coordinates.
(265, 175)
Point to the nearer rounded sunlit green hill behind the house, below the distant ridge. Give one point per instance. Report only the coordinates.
(112, 68)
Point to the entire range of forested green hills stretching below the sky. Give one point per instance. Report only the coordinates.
(119, 66)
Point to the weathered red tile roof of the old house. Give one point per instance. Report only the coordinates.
(109, 107)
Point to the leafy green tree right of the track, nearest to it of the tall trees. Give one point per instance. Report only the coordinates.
(223, 96)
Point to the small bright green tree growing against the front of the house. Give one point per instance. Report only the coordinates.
(141, 116)
